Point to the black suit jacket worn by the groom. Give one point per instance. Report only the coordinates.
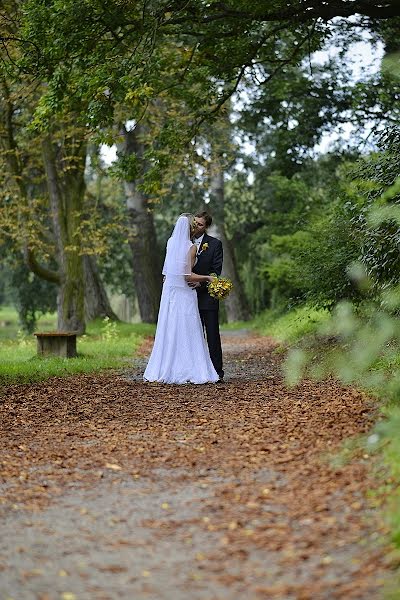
(209, 261)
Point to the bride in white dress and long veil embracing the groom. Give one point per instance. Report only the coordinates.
(180, 353)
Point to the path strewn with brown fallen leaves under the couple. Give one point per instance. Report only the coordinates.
(114, 489)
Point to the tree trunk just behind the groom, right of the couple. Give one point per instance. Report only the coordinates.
(236, 304)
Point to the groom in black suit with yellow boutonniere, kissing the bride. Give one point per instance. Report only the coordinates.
(209, 260)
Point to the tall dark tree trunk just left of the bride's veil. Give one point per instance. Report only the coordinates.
(146, 259)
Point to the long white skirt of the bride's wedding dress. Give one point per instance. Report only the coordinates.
(180, 352)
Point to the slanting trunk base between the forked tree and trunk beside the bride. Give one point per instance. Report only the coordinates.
(96, 300)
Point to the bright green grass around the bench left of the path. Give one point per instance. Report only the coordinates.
(105, 345)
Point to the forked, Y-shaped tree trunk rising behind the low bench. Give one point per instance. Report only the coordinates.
(66, 201)
